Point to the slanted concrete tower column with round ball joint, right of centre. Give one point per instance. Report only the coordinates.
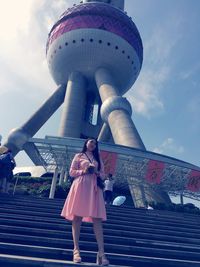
(116, 111)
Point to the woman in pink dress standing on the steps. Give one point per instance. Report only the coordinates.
(85, 200)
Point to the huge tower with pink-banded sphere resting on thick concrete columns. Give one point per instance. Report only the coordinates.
(94, 54)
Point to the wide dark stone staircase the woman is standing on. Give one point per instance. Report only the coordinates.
(32, 233)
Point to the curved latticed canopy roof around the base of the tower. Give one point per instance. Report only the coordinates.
(132, 164)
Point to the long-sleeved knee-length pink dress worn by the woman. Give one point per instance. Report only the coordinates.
(85, 198)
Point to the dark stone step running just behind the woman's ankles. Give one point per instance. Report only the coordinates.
(91, 246)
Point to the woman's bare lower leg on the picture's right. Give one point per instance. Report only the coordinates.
(98, 230)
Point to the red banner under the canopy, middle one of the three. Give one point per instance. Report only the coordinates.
(154, 171)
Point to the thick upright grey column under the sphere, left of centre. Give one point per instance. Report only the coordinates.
(74, 106)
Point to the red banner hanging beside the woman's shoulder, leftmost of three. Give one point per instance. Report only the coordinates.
(109, 160)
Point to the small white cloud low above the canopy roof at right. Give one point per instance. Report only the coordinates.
(169, 147)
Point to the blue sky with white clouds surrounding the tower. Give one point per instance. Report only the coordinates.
(165, 98)
